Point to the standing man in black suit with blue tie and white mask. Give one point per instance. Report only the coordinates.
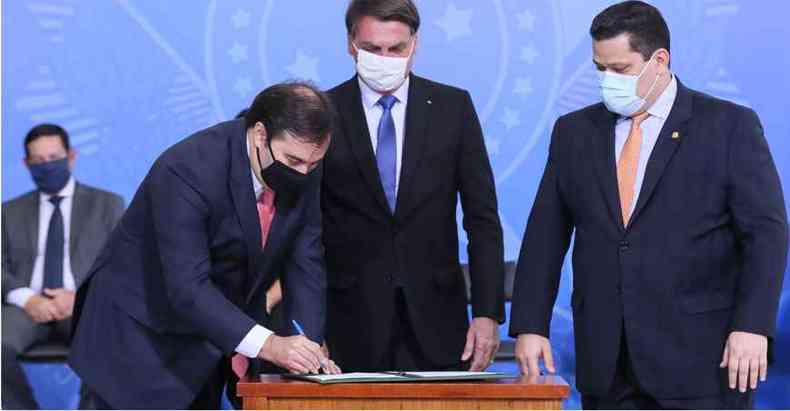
(404, 150)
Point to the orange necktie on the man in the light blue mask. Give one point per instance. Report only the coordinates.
(628, 164)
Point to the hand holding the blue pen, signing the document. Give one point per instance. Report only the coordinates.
(296, 354)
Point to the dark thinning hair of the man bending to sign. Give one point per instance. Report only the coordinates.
(299, 108)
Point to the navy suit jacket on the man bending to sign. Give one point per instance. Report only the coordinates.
(183, 277)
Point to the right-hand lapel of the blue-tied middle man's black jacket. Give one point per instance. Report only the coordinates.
(414, 139)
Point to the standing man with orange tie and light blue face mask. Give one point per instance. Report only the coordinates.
(680, 235)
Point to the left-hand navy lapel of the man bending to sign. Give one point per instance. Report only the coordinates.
(243, 195)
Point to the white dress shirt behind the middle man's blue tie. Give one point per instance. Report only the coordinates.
(373, 113)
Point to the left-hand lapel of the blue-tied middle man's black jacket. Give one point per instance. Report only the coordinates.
(358, 137)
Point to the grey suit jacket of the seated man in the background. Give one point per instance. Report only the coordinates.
(94, 214)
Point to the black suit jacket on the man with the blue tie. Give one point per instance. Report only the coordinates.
(369, 248)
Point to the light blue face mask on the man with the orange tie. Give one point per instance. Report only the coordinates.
(619, 91)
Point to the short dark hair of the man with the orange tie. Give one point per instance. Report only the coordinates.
(646, 28)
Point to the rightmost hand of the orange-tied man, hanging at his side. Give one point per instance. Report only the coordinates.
(746, 357)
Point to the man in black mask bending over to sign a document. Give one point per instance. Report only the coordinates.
(174, 303)
